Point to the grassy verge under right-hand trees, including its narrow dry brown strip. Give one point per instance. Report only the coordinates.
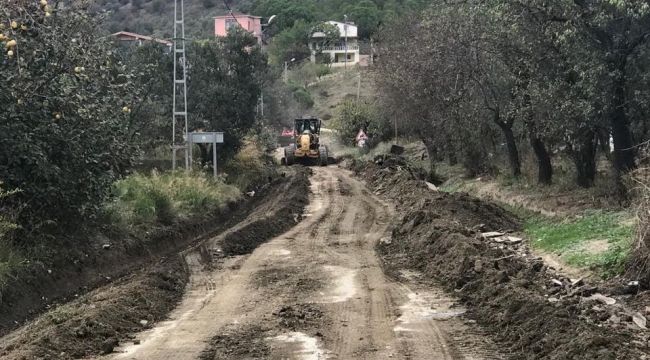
(582, 237)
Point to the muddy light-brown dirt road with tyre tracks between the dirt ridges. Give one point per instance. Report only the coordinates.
(315, 292)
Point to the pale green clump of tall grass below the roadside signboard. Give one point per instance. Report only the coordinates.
(164, 198)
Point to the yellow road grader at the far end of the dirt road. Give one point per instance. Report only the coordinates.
(306, 147)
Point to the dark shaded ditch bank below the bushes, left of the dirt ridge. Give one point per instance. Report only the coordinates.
(74, 270)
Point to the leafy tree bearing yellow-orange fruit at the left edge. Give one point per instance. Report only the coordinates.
(66, 120)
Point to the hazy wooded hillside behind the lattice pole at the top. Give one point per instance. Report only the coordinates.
(156, 16)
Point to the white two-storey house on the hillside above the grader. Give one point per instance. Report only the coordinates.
(337, 51)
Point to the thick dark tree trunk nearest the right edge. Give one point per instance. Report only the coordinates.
(624, 154)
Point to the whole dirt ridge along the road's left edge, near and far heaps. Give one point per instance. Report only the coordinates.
(100, 320)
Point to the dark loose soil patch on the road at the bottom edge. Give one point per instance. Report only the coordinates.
(239, 343)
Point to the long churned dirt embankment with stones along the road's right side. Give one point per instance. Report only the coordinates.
(527, 307)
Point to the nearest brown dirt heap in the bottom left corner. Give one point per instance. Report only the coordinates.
(98, 321)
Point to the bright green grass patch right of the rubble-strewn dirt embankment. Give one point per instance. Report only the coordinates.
(568, 238)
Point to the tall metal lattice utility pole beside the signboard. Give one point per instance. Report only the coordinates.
(180, 137)
